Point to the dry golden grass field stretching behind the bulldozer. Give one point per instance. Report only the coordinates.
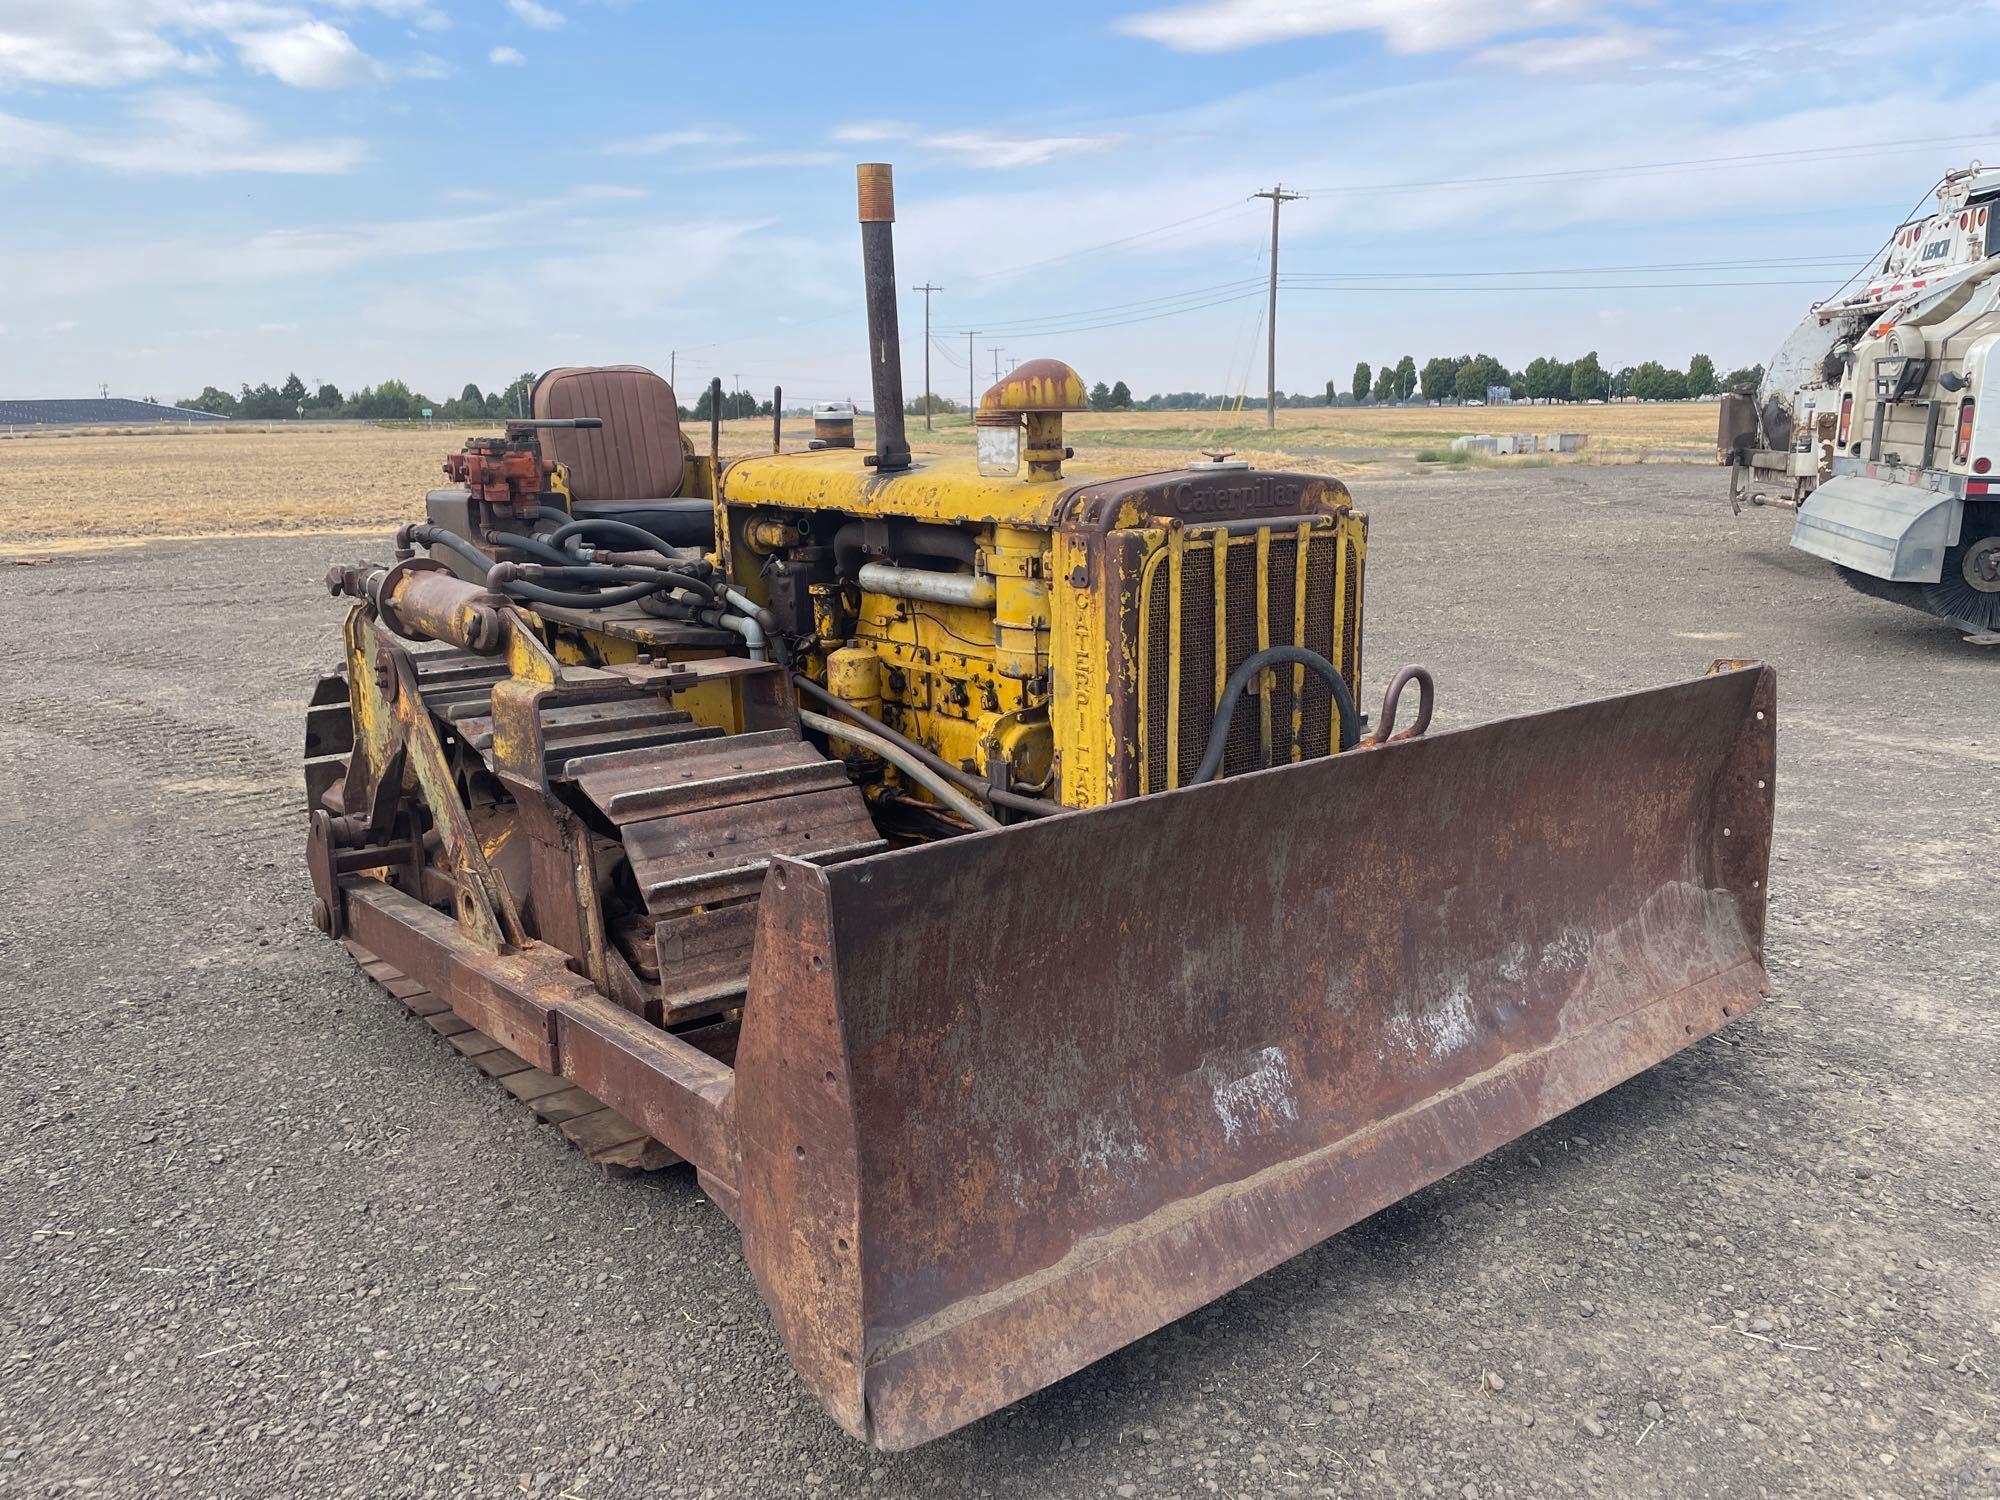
(67, 491)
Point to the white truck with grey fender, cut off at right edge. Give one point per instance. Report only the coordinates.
(1881, 419)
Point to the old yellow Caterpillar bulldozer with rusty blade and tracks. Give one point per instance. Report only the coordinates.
(979, 869)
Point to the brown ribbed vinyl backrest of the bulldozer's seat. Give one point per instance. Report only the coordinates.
(637, 455)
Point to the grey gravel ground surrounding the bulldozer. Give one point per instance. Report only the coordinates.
(267, 1235)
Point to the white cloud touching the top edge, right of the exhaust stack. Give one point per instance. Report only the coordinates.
(1405, 25)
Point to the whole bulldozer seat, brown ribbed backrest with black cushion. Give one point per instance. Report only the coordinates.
(635, 467)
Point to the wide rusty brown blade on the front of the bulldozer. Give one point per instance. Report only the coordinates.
(1013, 1101)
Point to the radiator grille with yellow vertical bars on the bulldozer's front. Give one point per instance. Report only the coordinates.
(1299, 723)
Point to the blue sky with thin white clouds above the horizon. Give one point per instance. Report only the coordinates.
(445, 191)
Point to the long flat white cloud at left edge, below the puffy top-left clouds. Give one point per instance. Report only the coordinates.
(181, 135)
